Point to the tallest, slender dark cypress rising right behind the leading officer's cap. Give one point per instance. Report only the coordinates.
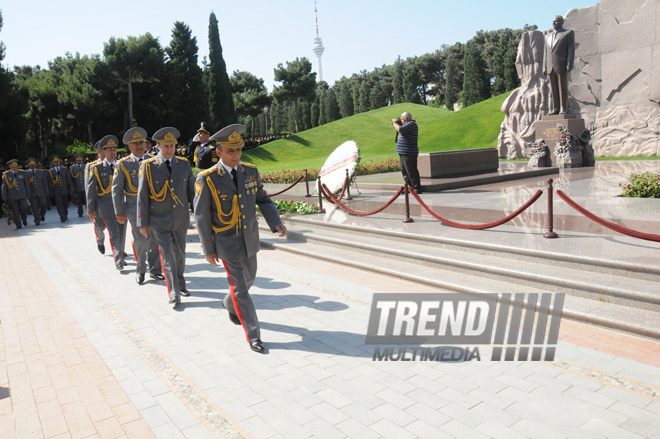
(221, 102)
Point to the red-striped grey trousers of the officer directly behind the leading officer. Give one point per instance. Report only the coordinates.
(172, 246)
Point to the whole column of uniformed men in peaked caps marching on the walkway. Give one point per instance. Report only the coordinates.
(153, 193)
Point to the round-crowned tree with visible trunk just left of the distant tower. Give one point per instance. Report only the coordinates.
(298, 82)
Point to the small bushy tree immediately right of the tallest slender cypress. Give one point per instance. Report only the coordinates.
(250, 95)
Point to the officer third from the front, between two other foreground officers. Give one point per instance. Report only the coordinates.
(124, 196)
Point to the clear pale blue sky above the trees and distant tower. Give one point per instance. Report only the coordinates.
(257, 35)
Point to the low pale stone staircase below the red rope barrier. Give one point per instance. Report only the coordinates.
(604, 292)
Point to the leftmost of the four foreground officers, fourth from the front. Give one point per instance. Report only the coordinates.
(99, 196)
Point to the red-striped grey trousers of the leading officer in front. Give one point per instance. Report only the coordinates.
(240, 276)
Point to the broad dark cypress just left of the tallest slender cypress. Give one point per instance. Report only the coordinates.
(187, 107)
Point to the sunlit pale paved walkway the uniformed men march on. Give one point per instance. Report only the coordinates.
(86, 352)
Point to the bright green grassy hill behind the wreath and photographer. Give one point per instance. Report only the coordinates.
(439, 130)
